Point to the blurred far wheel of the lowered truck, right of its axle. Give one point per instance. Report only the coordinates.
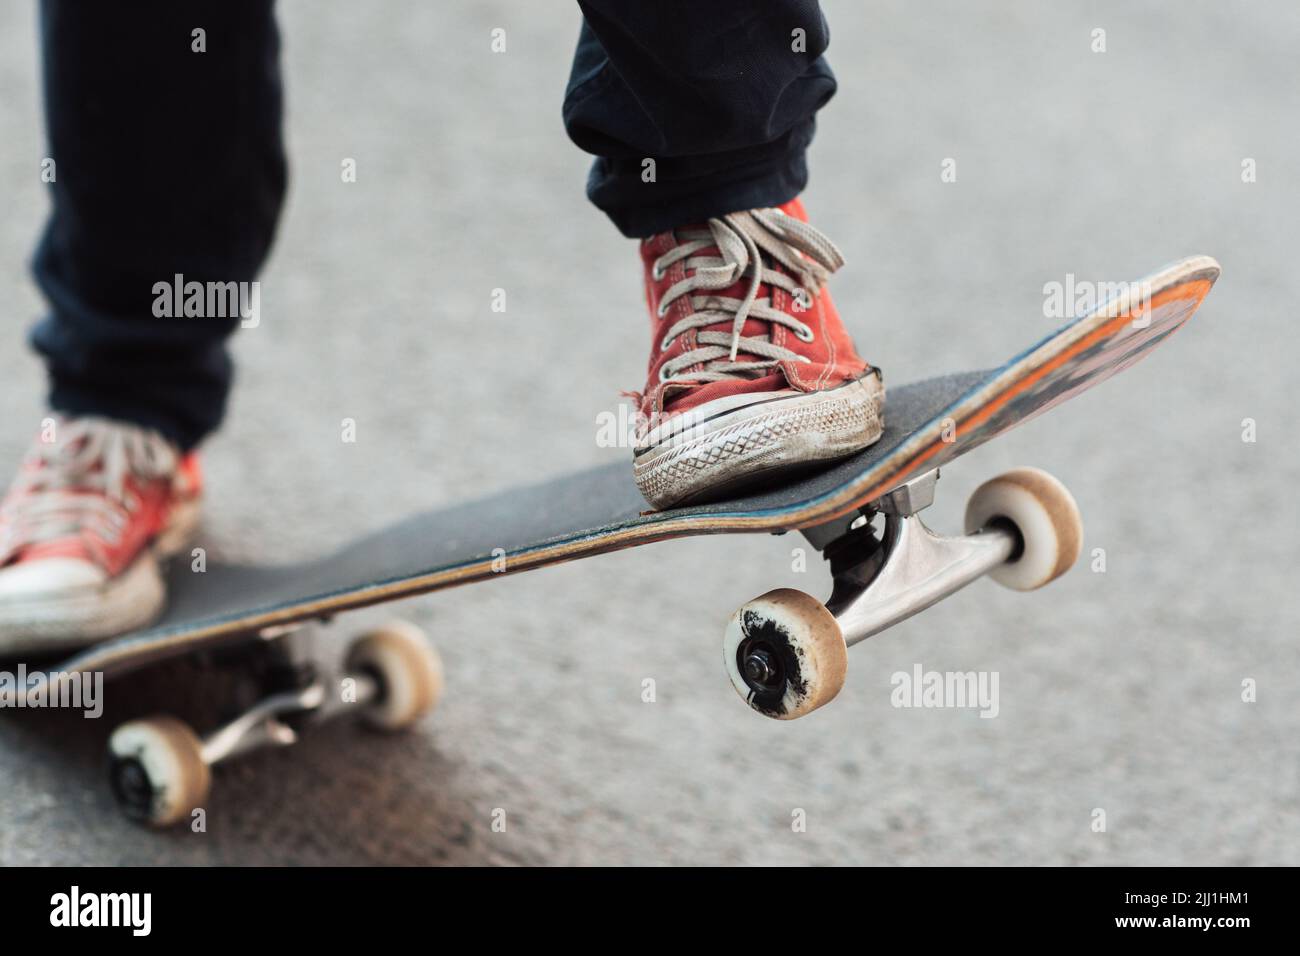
(408, 669)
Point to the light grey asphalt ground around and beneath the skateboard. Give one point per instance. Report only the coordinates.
(1120, 691)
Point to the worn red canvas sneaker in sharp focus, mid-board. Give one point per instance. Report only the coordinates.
(752, 374)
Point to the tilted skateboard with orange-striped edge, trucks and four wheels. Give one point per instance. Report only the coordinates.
(785, 652)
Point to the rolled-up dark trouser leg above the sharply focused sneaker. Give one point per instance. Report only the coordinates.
(720, 96)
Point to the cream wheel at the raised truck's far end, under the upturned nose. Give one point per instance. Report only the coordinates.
(1045, 516)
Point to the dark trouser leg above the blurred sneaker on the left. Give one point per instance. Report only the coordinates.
(168, 162)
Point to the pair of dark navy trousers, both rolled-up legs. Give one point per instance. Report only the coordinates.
(171, 162)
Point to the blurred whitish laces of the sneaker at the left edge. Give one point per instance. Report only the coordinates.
(79, 483)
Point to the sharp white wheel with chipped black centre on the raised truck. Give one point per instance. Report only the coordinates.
(786, 655)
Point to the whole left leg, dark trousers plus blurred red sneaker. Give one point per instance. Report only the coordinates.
(168, 165)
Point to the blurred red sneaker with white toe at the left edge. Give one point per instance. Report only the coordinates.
(83, 533)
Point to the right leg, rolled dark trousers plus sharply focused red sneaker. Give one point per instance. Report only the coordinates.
(752, 374)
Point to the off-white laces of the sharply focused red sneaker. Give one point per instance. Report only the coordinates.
(743, 239)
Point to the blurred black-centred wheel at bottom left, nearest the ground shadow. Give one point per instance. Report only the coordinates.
(158, 772)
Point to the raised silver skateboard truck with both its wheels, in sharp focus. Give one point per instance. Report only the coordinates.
(786, 652)
